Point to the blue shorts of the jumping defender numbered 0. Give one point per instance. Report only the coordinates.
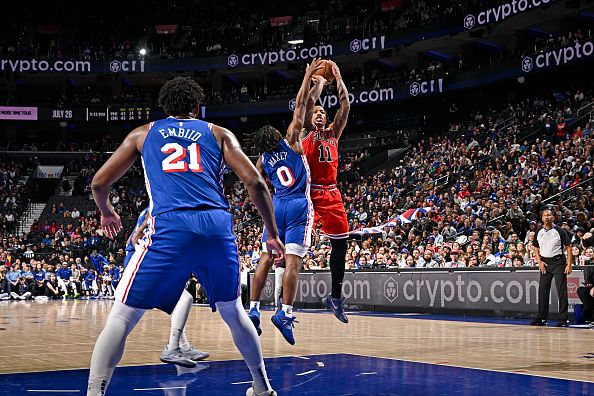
(294, 220)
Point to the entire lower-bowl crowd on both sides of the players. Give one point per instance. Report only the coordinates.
(480, 188)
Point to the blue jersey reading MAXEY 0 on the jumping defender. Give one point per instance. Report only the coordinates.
(287, 171)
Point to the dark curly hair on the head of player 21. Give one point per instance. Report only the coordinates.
(180, 96)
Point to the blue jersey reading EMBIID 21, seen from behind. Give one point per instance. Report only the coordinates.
(183, 166)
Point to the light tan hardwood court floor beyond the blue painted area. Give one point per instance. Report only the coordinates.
(52, 335)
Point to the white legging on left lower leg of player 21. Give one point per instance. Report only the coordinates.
(110, 346)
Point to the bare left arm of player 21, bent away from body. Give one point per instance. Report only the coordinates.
(114, 168)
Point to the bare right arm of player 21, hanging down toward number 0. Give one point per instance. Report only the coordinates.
(255, 184)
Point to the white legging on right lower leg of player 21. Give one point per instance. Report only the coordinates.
(246, 340)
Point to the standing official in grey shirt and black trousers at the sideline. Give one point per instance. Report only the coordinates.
(549, 244)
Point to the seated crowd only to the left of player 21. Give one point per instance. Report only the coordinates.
(59, 257)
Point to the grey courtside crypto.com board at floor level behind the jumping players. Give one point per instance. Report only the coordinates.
(423, 291)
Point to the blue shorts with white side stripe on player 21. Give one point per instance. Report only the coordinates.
(174, 245)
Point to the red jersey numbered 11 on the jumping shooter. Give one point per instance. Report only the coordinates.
(320, 147)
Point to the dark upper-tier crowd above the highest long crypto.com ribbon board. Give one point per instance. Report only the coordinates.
(201, 29)
